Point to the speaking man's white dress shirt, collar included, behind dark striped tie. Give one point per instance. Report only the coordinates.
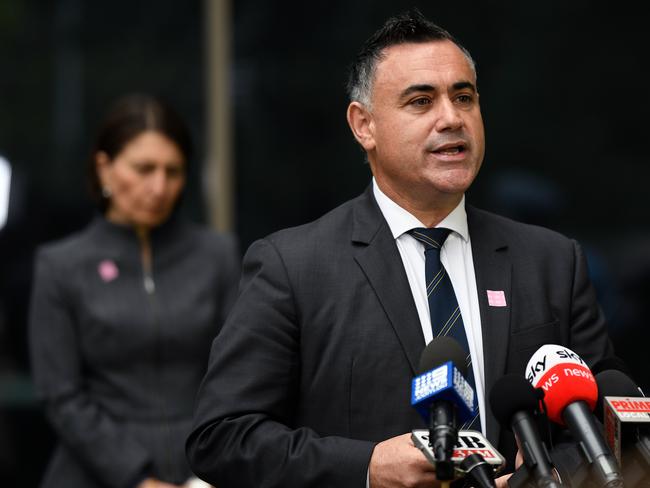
(456, 257)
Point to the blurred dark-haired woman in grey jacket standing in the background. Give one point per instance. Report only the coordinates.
(123, 313)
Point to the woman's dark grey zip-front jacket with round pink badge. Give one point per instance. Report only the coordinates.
(118, 368)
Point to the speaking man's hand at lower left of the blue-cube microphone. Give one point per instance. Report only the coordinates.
(397, 463)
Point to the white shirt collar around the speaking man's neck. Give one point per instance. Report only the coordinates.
(401, 221)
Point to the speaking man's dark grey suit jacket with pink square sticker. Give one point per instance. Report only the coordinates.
(313, 366)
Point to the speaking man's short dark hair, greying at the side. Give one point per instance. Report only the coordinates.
(410, 26)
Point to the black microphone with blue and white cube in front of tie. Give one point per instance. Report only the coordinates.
(443, 397)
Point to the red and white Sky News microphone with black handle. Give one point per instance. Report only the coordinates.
(570, 394)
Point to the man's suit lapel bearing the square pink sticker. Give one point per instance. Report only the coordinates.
(493, 272)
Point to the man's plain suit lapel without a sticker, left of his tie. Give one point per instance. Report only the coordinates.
(378, 256)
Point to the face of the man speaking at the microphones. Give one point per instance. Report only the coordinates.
(427, 139)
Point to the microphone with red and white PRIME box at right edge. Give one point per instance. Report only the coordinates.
(626, 417)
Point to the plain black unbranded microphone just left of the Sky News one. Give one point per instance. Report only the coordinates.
(514, 402)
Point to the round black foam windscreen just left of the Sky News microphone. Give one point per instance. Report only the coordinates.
(511, 394)
